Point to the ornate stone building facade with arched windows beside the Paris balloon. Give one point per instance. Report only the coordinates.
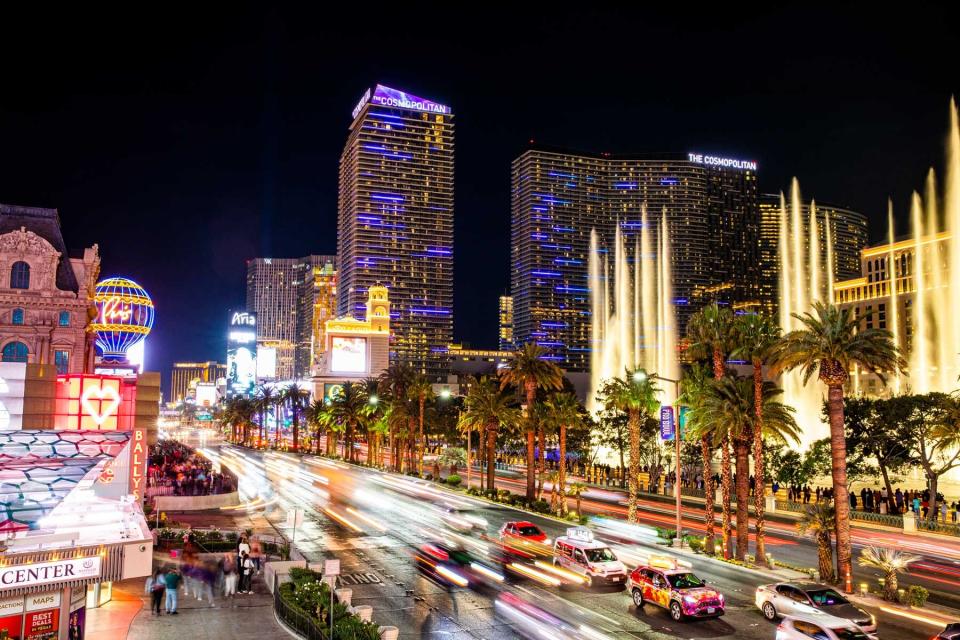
(45, 295)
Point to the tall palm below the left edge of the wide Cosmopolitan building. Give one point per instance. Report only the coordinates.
(527, 372)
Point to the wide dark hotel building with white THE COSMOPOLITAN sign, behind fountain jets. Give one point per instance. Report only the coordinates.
(558, 196)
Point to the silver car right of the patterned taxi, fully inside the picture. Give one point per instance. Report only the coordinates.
(788, 598)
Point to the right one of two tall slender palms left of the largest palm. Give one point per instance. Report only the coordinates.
(756, 336)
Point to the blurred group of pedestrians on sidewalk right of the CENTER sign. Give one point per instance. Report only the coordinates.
(202, 578)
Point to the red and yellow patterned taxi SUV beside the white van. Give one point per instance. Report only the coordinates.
(664, 583)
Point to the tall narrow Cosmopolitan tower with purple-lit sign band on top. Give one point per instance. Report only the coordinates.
(396, 221)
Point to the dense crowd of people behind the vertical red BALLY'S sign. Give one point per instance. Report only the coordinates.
(184, 471)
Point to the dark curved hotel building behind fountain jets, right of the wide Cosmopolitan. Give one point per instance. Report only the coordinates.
(848, 236)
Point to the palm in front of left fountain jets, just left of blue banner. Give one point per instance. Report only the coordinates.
(636, 395)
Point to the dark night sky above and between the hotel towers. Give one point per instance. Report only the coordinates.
(185, 140)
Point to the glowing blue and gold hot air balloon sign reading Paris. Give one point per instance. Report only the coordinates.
(124, 317)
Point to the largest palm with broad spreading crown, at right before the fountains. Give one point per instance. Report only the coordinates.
(829, 345)
